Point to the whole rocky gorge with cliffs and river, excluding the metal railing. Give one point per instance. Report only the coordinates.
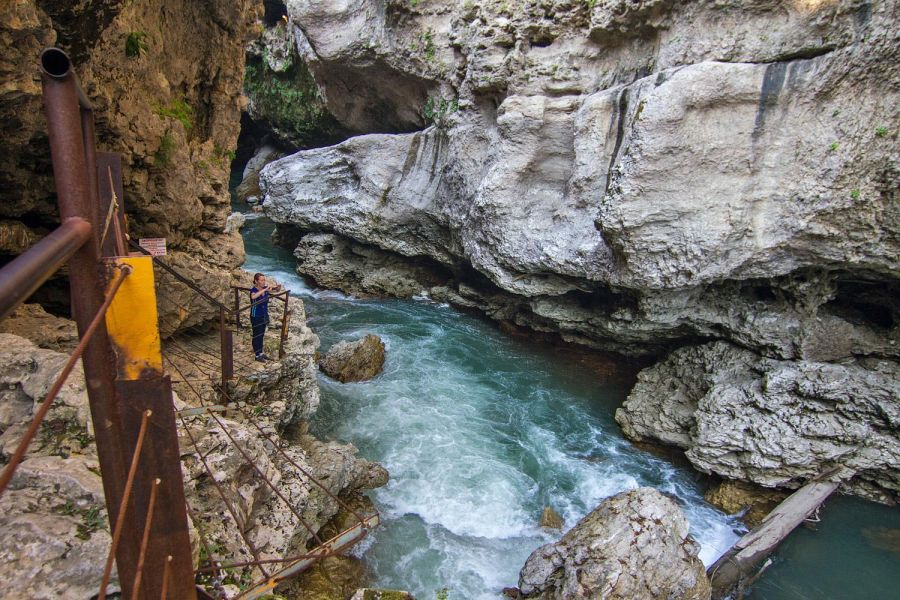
(633, 266)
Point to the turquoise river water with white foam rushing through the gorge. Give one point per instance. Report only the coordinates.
(480, 431)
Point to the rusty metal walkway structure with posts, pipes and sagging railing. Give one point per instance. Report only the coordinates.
(130, 373)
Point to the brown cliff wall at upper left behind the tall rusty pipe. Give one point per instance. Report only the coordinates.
(165, 81)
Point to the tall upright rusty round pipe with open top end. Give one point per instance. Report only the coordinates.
(63, 104)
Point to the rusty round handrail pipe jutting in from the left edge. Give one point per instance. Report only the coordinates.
(24, 275)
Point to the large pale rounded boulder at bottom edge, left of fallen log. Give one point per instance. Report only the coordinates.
(634, 545)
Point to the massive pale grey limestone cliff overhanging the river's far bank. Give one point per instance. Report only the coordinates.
(635, 175)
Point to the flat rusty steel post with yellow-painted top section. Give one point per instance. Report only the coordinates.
(141, 385)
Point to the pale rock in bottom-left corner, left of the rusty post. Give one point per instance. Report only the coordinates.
(54, 536)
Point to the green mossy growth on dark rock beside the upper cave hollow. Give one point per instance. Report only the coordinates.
(289, 101)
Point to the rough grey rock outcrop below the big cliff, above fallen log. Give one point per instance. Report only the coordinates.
(776, 423)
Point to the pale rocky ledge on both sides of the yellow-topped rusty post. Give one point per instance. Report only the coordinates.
(53, 529)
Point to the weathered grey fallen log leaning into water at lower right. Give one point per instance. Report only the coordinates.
(735, 566)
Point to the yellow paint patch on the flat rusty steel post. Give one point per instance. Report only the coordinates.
(132, 320)
